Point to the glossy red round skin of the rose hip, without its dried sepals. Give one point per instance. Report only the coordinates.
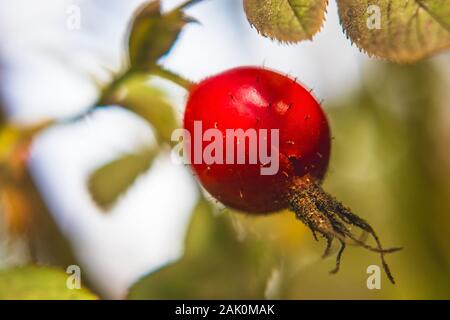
(253, 97)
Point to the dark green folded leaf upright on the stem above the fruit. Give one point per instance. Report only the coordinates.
(153, 34)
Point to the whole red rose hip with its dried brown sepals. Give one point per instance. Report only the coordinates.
(260, 142)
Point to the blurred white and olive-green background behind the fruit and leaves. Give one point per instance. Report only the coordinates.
(390, 162)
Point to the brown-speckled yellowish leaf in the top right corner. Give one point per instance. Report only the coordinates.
(408, 30)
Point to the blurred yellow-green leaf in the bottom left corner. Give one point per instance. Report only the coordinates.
(41, 283)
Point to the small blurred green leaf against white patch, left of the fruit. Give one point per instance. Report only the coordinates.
(109, 182)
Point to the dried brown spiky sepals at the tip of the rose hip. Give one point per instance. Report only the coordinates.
(326, 216)
